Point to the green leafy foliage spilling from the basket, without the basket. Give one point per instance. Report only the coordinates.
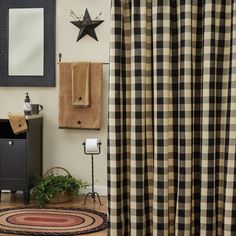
(49, 186)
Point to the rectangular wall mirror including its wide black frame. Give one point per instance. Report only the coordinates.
(27, 43)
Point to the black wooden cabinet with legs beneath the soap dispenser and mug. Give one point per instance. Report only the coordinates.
(20, 156)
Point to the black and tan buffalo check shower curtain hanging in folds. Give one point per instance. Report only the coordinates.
(172, 118)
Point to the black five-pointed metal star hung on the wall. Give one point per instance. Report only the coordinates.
(87, 26)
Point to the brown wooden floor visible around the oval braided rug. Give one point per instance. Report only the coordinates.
(16, 200)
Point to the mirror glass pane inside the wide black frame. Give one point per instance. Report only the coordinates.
(26, 42)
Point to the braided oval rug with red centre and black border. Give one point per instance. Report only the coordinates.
(51, 221)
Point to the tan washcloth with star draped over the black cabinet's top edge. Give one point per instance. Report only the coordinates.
(18, 123)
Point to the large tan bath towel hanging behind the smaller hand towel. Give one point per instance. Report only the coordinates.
(77, 117)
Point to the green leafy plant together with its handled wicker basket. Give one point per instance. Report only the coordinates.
(57, 187)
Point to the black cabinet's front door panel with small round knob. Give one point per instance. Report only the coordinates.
(13, 159)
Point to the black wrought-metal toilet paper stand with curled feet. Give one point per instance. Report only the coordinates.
(93, 193)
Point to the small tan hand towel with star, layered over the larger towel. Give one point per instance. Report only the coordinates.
(80, 84)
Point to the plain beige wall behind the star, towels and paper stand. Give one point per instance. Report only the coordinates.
(63, 147)
